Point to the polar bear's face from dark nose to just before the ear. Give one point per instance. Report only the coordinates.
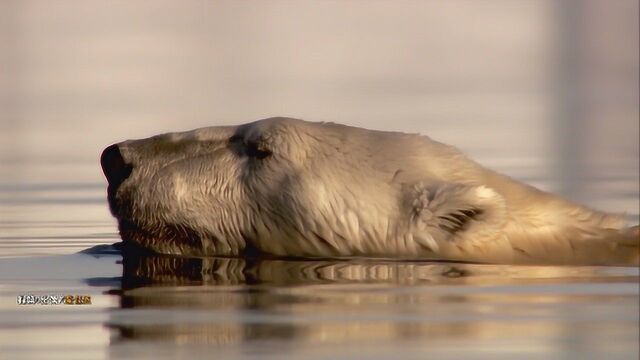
(279, 185)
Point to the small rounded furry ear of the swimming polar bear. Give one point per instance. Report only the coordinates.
(447, 212)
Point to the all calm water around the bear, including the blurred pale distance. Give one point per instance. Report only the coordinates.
(515, 84)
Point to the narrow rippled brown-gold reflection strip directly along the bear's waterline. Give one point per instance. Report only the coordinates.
(171, 270)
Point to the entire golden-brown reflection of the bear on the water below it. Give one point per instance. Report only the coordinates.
(299, 308)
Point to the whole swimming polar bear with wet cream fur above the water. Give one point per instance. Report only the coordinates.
(288, 187)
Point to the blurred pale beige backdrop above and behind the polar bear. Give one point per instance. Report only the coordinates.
(546, 91)
